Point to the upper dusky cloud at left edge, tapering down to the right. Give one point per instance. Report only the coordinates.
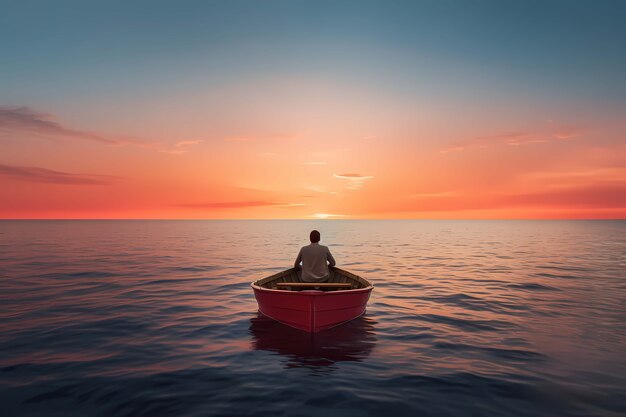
(25, 119)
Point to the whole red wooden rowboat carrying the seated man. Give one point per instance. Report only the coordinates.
(312, 307)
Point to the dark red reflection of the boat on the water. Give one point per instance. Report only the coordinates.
(352, 341)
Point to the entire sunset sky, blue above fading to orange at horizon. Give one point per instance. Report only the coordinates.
(313, 109)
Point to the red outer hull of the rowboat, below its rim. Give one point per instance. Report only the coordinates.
(312, 311)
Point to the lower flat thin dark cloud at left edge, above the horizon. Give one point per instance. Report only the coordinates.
(34, 174)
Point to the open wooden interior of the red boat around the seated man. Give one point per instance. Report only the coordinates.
(290, 280)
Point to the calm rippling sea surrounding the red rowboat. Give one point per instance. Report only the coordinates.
(467, 318)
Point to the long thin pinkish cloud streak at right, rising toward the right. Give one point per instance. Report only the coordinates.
(515, 139)
